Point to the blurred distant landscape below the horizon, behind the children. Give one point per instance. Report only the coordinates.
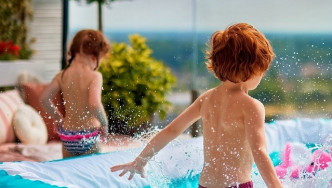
(298, 83)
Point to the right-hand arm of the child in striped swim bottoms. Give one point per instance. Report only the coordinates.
(96, 106)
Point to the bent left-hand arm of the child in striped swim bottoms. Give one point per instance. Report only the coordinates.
(46, 99)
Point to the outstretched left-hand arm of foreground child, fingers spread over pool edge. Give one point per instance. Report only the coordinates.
(170, 132)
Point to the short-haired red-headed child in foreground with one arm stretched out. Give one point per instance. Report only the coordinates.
(233, 122)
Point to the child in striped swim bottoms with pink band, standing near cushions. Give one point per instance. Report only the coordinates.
(80, 84)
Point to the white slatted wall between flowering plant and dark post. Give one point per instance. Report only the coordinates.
(46, 28)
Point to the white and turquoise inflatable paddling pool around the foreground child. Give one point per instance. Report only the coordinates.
(178, 165)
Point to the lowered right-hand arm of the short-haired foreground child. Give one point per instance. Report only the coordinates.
(254, 114)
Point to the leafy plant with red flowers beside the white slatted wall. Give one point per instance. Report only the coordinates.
(13, 29)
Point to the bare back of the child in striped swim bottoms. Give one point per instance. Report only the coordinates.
(75, 85)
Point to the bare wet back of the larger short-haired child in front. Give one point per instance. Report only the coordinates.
(227, 155)
